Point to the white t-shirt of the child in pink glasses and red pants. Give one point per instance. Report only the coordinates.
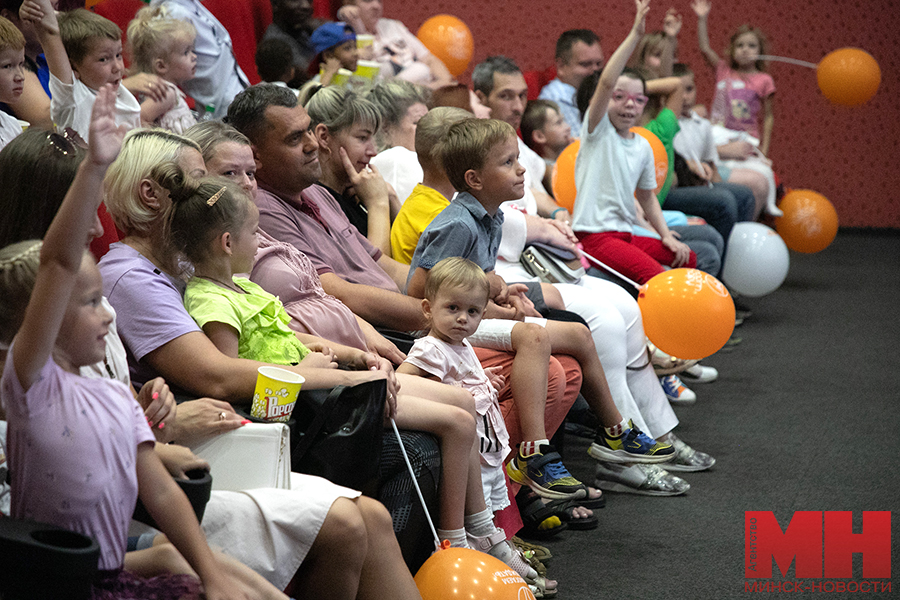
(608, 170)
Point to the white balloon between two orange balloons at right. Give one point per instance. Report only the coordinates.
(756, 260)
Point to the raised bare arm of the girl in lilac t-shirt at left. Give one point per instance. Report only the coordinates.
(64, 244)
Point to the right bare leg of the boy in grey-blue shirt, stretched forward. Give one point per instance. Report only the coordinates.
(575, 339)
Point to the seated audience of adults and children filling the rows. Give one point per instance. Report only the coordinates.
(330, 228)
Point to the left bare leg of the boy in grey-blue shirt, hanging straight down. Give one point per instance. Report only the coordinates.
(528, 377)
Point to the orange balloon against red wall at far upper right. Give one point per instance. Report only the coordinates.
(848, 76)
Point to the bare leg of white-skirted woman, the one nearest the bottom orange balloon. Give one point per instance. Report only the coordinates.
(384, 574)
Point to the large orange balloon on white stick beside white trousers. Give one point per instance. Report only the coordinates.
(687, 313)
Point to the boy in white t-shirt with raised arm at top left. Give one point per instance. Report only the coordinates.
(84, 53)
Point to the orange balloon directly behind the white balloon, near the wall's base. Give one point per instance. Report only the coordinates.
(809, 223)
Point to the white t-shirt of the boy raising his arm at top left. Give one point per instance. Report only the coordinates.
(71, 105)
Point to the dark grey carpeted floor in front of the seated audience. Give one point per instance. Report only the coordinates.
(804, 416)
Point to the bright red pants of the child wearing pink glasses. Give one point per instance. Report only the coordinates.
(636, 257)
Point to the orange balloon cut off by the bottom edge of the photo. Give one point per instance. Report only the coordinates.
(463, 573)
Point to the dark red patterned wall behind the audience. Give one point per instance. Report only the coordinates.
(847, 154)
